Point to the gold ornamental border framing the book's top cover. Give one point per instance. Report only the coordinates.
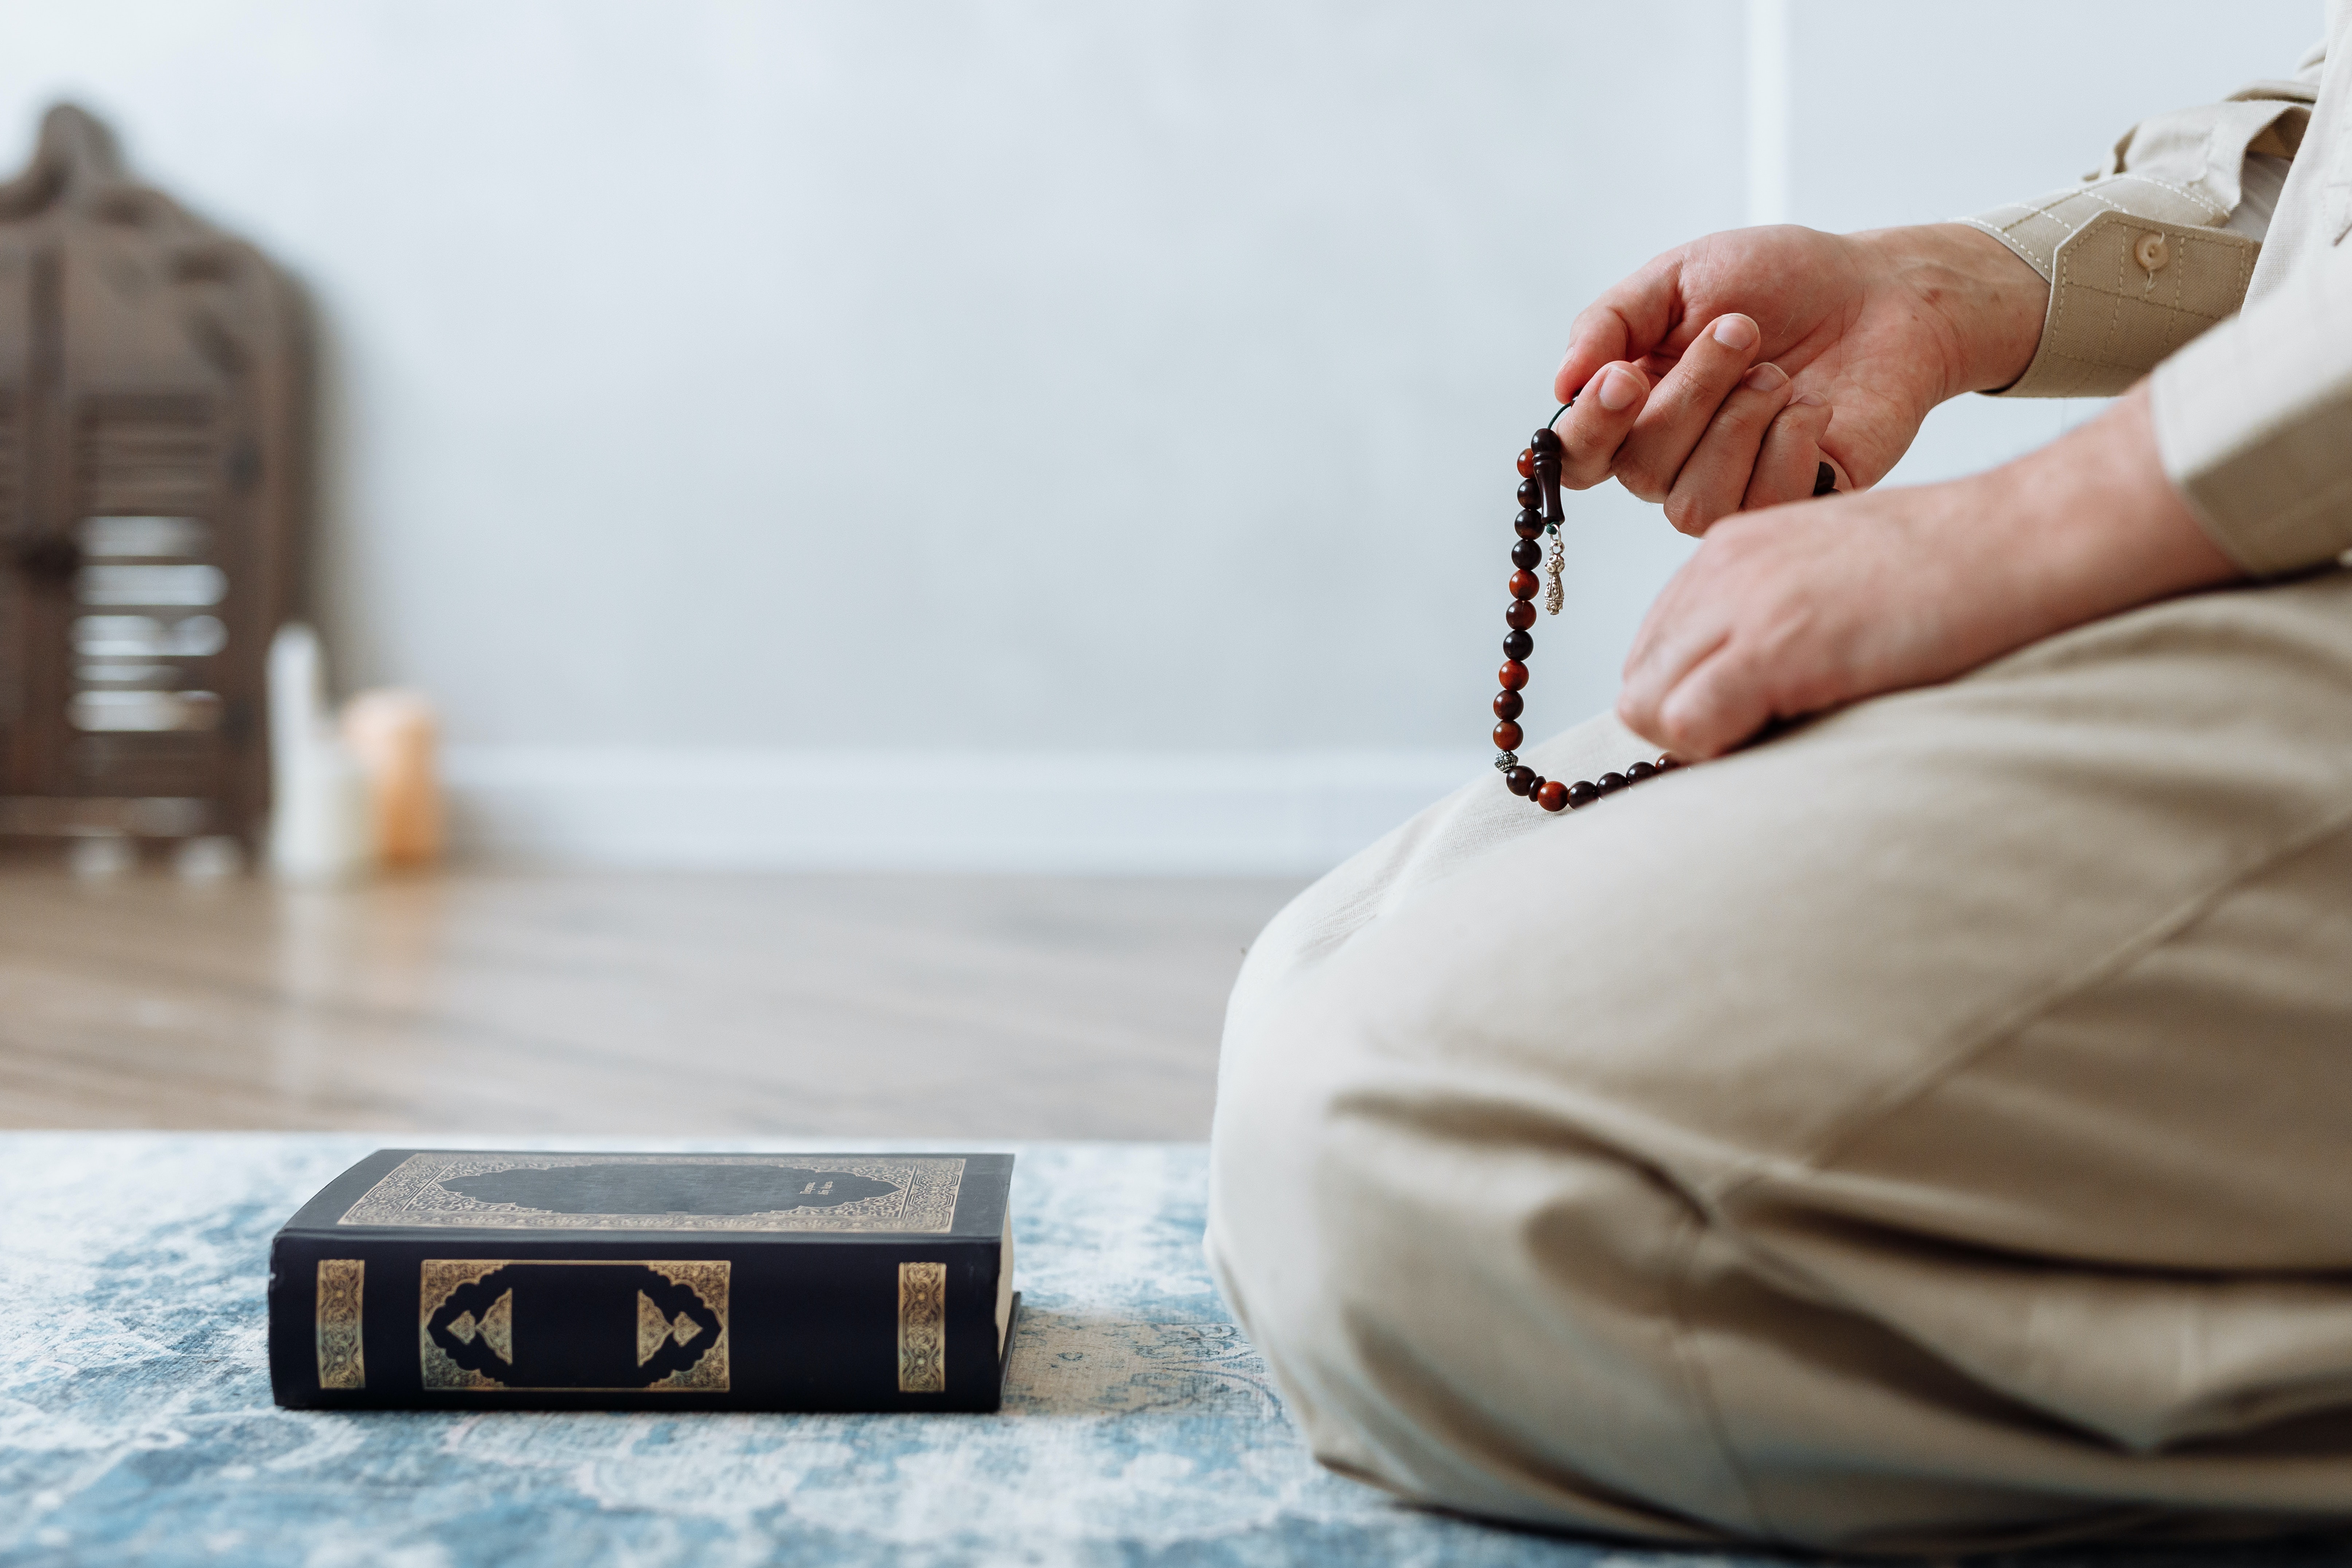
(413, 1195)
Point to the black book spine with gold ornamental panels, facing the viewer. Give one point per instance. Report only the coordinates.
(641, 1325)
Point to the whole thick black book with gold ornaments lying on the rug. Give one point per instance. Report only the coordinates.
(467, 1280)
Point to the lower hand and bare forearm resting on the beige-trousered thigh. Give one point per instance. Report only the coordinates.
(1805, 608)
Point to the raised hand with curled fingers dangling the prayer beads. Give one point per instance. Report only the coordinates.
(1725, 373)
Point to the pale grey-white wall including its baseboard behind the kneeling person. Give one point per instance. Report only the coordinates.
(1015, 434)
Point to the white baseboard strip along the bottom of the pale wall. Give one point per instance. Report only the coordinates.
(973, 812)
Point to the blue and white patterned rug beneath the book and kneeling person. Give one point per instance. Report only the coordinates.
(1140, 1428)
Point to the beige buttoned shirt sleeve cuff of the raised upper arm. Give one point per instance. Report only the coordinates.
(2160, 243)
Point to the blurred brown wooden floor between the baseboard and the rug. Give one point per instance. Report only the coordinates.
(490, 1003)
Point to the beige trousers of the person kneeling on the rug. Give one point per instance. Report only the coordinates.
(1925, 1132)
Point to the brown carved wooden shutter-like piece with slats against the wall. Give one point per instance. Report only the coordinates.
(152, 485)
